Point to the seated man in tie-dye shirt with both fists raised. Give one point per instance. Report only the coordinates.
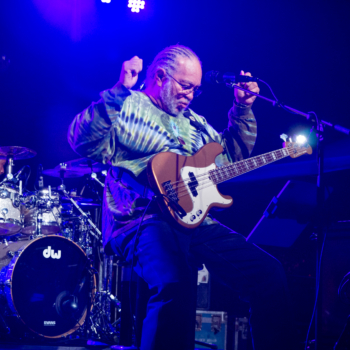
(127, 128)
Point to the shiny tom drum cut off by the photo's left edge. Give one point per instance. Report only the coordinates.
(10, 212)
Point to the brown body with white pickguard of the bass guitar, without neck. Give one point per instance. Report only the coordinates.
(186, 180)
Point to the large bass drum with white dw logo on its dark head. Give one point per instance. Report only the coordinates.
(48, 285)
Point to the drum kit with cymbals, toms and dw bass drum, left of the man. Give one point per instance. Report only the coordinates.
(47, 237)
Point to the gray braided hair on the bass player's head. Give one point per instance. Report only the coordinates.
(167, 59)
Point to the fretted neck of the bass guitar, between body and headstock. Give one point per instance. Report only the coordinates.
(230, 171)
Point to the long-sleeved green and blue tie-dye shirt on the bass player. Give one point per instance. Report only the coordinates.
(125, 129)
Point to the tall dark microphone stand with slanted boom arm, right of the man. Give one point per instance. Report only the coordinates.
(319, 234)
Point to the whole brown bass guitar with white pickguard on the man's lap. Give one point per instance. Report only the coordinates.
(187, 186)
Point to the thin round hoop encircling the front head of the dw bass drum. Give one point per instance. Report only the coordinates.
(83, 317)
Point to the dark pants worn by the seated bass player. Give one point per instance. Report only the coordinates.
(165, 257)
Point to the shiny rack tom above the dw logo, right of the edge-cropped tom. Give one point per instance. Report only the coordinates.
(50, 211)
